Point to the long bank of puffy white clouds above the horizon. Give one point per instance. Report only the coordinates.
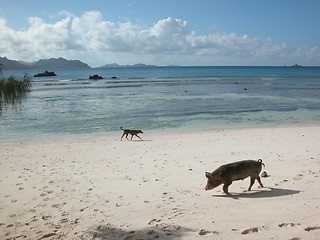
(90, 36)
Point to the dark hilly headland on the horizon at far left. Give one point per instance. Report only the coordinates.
(52, 63)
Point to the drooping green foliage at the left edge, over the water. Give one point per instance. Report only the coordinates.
(12, 91)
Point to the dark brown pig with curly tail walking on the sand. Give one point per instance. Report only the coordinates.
(230, 172)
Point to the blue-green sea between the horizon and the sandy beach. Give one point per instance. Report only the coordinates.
(161, 99)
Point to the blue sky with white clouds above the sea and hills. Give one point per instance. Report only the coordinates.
(163, 32)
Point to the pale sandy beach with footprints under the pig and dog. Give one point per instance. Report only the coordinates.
(103, 188)
